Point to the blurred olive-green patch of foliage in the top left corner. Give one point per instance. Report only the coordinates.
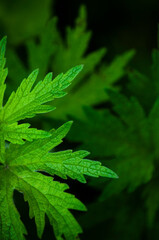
(20, 20)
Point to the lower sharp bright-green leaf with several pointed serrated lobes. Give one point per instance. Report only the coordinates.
(44, 195)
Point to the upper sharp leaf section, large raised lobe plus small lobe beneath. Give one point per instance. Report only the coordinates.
(27, 101)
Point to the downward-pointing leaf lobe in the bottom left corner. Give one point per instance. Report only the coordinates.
(11, 227)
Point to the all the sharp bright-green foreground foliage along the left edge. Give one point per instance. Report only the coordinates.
(22, 164)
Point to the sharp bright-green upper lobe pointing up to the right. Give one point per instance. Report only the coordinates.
(27, 102)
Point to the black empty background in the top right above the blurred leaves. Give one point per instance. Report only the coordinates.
(117, 25)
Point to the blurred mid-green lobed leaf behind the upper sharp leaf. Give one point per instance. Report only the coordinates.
(54, 52)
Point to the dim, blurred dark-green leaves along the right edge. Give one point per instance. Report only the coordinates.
(127, 133)
